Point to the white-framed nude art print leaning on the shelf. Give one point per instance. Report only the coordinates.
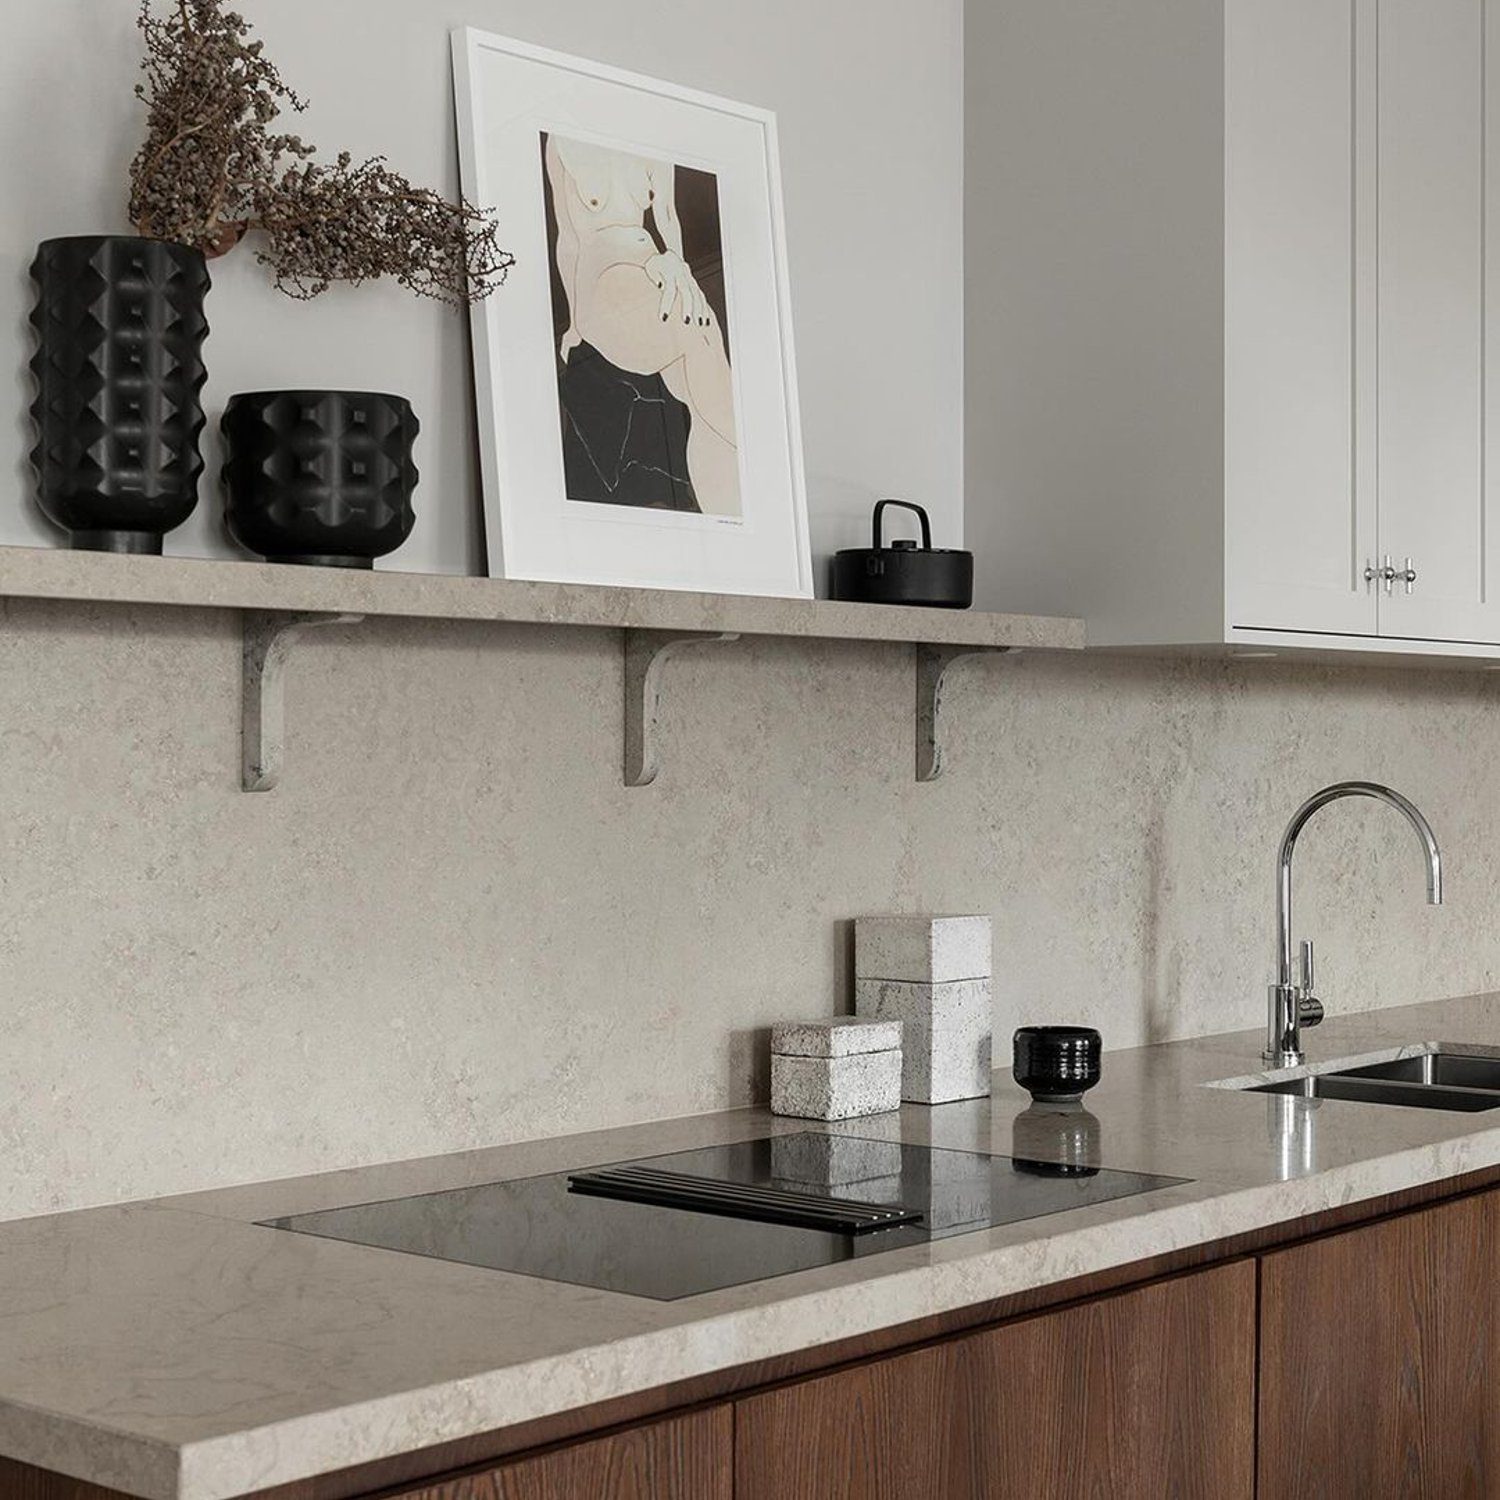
(635, 379)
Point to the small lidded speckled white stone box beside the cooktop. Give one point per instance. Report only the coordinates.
(836, 1070)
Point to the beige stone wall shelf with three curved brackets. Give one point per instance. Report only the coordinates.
(278, 604)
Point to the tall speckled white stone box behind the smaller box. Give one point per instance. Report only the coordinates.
(934, 976)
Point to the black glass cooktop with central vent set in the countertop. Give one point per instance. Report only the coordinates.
(563, 1231)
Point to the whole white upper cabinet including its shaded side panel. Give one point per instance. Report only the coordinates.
(1345, 383)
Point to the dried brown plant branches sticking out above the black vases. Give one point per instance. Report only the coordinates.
(215, 167)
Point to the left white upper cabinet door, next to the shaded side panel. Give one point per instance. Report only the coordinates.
(1298, 284)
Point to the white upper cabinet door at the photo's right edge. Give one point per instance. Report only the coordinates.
(1436, 233)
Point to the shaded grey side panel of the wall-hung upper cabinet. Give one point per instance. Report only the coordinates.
(1094, 308)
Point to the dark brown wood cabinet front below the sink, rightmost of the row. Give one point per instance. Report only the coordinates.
(1378, 1360)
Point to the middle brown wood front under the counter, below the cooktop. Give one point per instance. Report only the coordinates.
(1132, 1397)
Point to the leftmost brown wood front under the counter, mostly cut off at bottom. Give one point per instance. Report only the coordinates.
(686, 1459)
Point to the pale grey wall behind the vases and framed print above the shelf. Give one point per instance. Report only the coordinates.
(869, 100)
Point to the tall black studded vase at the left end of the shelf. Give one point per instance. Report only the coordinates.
(119, 371)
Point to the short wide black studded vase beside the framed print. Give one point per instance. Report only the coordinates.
(320, 476)
